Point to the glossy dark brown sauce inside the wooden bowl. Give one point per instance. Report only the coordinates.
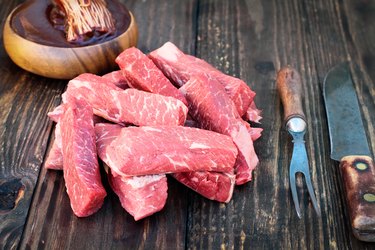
(31, 20)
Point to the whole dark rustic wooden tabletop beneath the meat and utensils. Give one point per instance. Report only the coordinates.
(249, 39)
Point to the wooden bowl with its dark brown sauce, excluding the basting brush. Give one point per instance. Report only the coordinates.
(35, 40)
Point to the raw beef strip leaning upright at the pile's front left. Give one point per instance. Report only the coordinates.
(81, 168)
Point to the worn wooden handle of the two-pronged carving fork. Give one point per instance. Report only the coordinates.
(289, 85)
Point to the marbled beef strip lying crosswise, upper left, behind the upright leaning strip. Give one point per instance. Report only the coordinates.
(125, 106)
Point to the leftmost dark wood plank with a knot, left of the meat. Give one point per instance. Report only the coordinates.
(24, 132)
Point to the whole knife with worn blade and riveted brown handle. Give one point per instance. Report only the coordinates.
(349, 146)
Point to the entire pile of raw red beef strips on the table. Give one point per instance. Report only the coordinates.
(162, 113)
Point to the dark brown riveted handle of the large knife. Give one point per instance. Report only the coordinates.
(358, 173)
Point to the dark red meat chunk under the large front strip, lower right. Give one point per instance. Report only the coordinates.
(212, 185)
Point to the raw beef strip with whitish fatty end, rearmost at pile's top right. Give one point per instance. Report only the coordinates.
(180, 67)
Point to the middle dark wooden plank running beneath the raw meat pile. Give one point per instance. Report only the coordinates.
(51, 223)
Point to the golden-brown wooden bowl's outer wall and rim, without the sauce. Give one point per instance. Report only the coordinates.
(67, 63)
